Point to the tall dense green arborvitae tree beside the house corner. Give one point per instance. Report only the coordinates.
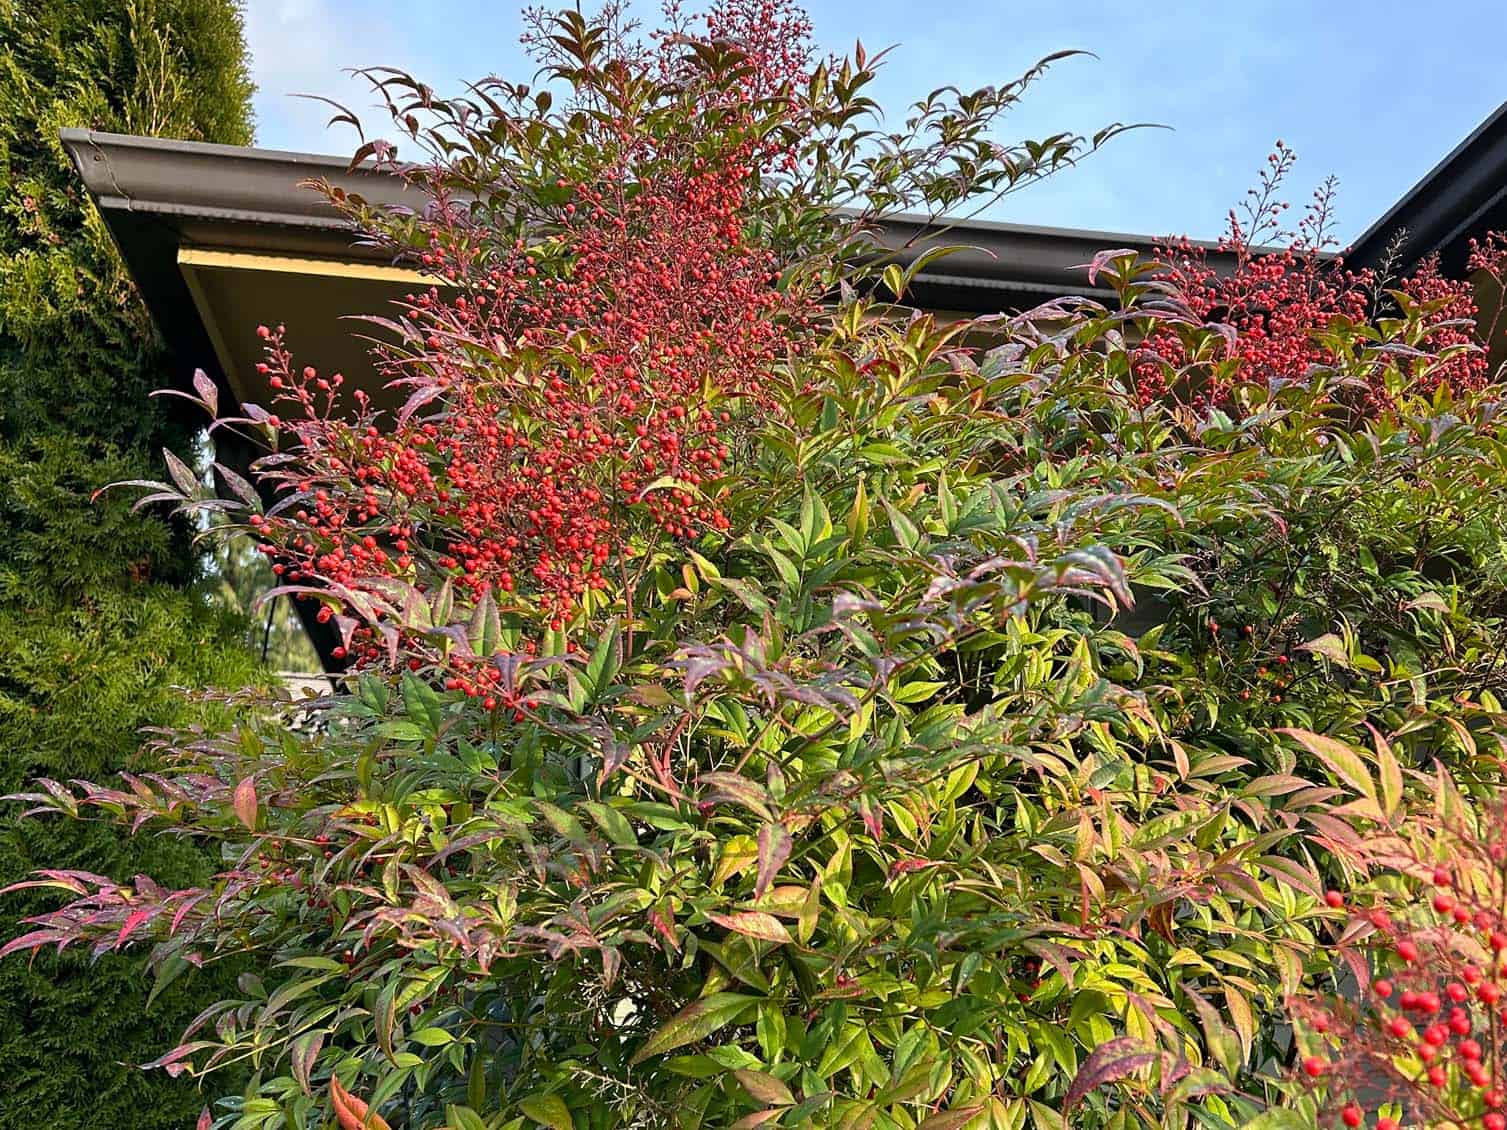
(103, 614)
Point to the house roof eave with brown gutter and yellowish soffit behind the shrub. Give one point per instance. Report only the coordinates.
(221, 239)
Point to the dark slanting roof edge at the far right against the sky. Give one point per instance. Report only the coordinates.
(1461, 198)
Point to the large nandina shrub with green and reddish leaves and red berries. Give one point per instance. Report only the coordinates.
(732, 739)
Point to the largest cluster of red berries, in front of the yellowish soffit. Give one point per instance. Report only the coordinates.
(569, 391)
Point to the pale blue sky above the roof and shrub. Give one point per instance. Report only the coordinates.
(1374, 93)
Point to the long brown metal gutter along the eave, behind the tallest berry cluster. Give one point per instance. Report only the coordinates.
(154, 192)
